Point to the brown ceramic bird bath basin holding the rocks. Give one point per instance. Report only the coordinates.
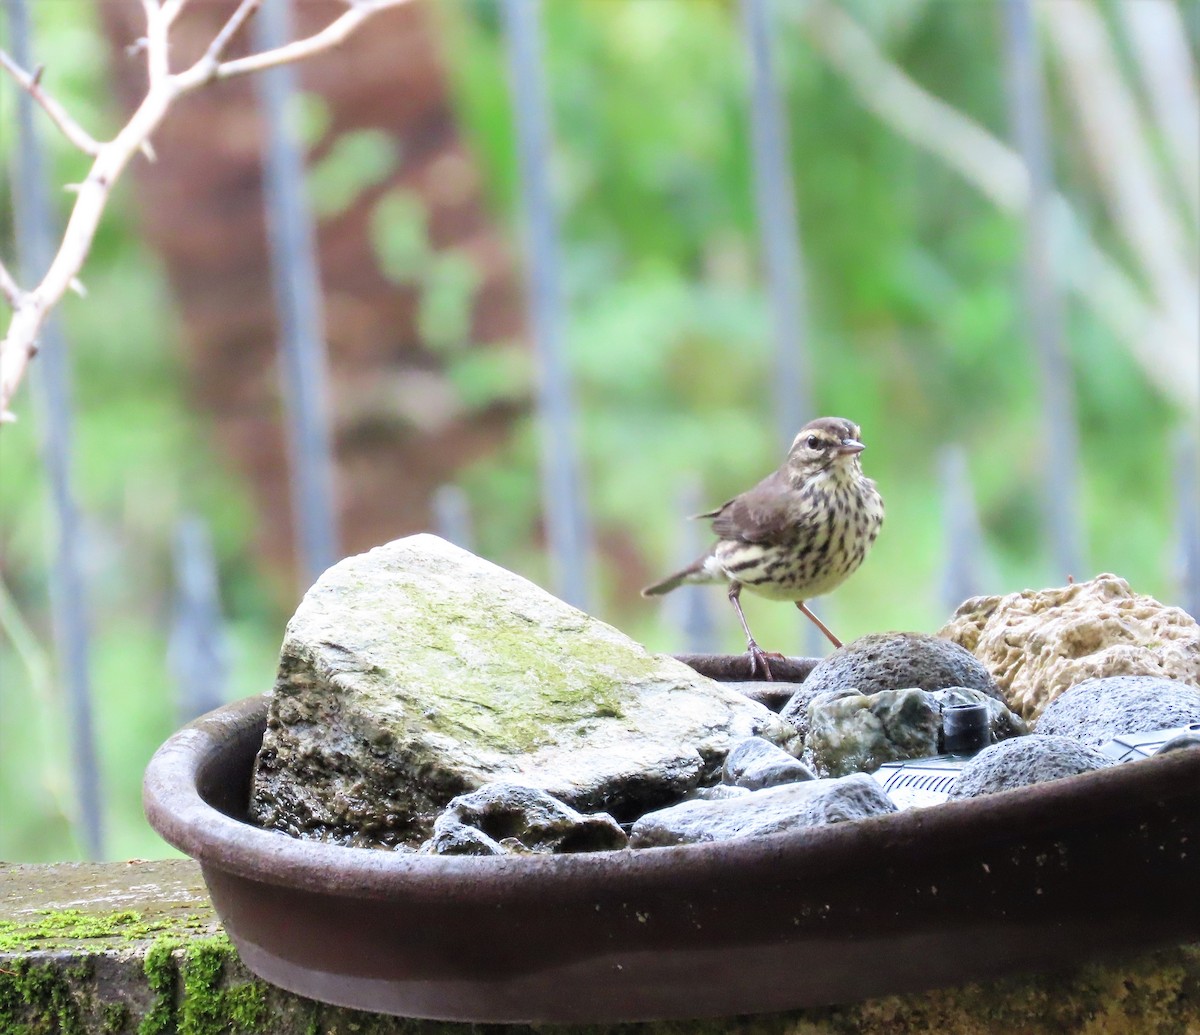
(1029, 881)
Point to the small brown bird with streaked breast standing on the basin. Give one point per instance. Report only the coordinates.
(799, 534)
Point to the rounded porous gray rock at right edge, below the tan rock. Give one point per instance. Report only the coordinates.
(1096, 711)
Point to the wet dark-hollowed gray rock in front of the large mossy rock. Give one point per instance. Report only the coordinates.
(506, 818)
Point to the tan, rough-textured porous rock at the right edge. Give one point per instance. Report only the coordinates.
(1040, 643)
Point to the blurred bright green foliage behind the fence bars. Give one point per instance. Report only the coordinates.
(916, 331)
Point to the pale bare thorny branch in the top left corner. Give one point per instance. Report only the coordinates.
(111, 158)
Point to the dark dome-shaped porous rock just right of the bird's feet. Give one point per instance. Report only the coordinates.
(892, 662)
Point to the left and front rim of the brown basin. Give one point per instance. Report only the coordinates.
(181, 815)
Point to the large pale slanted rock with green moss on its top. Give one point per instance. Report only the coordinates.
(418, 672)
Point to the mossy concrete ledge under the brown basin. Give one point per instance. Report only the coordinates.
(136, 949)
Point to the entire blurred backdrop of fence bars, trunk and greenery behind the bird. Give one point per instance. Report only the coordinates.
(585, 267)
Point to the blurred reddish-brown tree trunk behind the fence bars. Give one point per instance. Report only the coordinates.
(399, 428)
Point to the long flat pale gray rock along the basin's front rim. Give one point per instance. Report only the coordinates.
(763, 812)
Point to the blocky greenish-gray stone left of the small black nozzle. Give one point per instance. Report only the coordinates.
(860, 733)
